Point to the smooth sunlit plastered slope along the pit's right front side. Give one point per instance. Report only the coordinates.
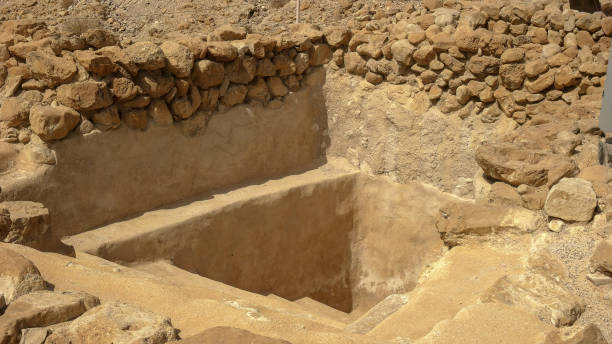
(457, 280)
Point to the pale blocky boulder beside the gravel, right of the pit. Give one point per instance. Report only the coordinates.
(572, 199)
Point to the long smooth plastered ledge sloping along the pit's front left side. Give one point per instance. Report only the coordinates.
(191, 308)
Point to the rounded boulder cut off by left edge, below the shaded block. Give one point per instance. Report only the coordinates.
(18, 276)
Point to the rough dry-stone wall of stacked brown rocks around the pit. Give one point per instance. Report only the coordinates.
(492, 58)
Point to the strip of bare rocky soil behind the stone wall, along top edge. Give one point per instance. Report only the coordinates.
(134, 20)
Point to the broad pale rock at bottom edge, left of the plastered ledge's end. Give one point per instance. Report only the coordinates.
(115, 323)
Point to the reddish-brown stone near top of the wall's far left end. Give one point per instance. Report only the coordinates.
(49, 69)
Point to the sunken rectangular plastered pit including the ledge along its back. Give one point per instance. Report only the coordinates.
(329, 234)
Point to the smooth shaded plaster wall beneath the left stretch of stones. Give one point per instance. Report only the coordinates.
(120, 173)
